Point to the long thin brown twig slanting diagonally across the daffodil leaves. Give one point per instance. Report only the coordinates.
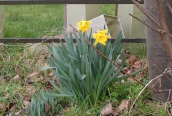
(110, 60)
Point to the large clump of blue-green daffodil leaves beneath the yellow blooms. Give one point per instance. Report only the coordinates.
(83, 73)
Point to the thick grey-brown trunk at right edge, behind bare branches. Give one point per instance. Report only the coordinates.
(157, 53)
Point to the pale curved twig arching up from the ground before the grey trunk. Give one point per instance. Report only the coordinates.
(146, 87)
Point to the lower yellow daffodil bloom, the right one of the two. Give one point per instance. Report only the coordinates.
(101, 37)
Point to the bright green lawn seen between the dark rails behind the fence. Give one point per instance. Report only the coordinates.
(35, 21)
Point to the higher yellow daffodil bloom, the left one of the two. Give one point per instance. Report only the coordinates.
(83, 25)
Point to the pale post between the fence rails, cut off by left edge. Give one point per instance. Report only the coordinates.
(1, 20)
